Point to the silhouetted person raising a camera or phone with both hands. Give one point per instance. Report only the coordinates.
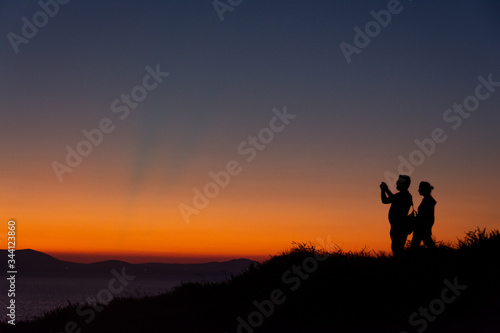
(398, 213)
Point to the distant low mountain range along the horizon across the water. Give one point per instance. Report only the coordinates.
(34, 263)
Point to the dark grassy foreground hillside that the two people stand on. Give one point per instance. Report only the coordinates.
(304, 289)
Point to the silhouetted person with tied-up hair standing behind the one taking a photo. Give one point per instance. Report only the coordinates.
(425, 218)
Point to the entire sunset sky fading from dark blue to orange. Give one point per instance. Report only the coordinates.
(318, 178)
